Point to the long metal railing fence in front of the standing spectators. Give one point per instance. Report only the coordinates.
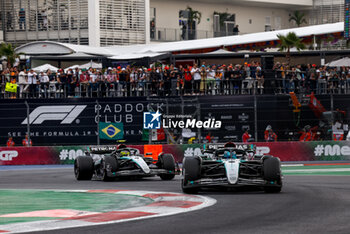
(248, 86)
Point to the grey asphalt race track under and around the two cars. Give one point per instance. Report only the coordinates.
(307, 204)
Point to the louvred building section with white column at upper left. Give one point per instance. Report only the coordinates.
(85, 22)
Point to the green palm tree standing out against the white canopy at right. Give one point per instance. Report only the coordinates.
(288, 42)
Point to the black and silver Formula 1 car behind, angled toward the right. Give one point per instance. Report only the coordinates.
(109, 162)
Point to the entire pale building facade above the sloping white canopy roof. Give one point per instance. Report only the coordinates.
(125, 22)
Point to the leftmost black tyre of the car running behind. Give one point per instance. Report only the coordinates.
(83, 168)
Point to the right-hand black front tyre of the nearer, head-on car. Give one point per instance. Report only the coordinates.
(272, 173)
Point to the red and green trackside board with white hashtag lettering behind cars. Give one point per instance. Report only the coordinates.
(286, 151)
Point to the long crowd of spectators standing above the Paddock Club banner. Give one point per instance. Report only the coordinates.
(167, 80)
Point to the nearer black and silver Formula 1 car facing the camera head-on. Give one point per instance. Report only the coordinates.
(231, 166)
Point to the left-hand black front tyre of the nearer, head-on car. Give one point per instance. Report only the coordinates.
(191, 171)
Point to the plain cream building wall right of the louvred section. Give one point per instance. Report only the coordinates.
(218, 18)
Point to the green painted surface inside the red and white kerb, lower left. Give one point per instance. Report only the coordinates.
(18, 201)
